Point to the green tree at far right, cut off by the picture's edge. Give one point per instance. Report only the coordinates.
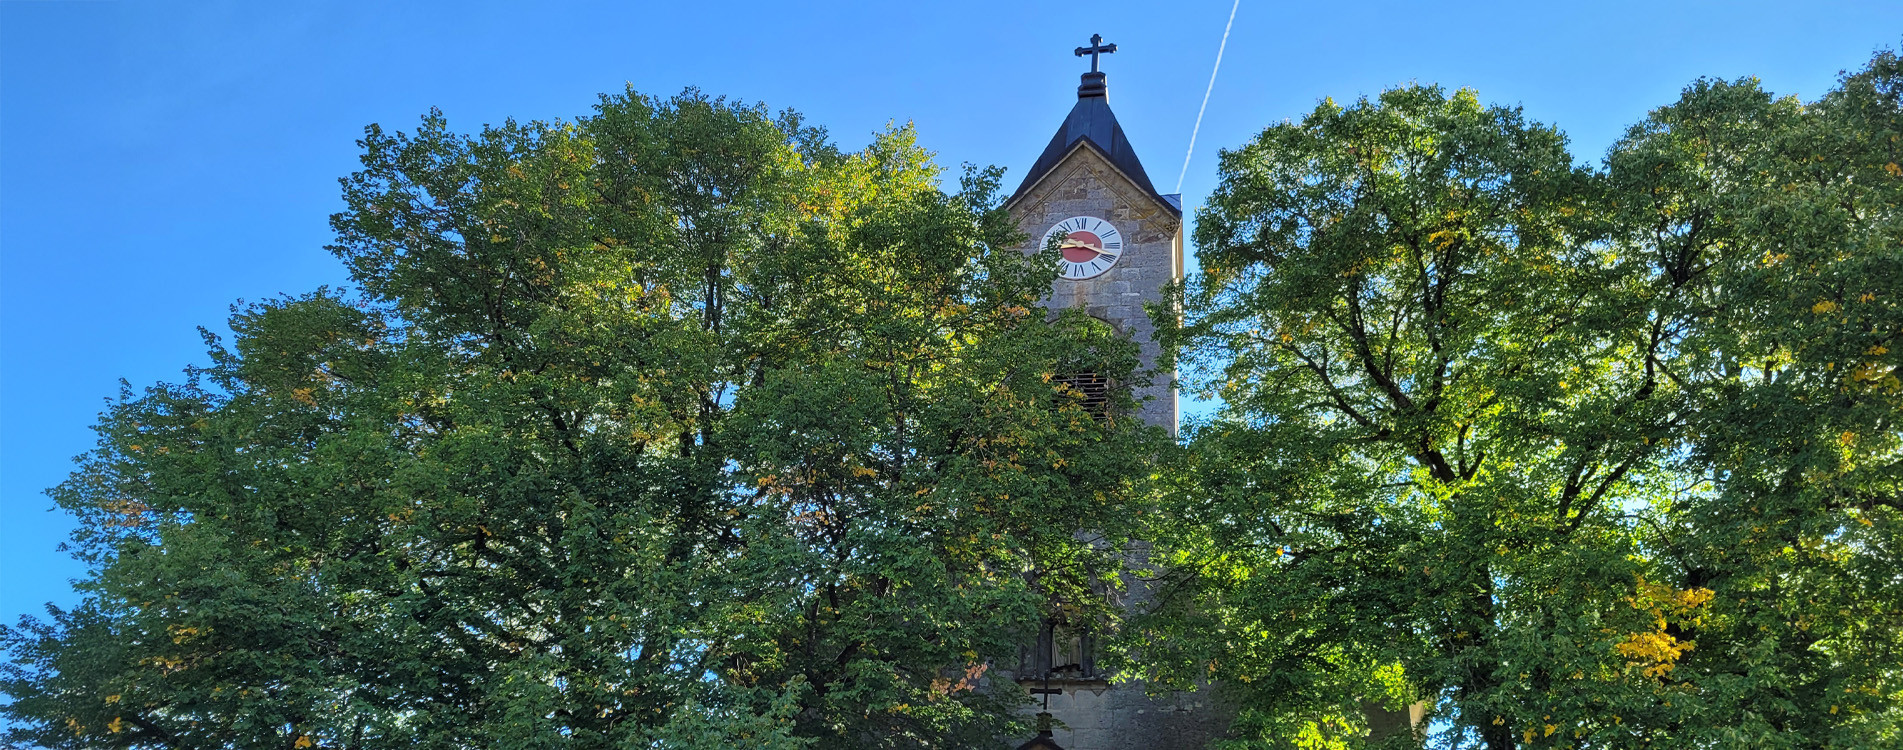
(1780, 222)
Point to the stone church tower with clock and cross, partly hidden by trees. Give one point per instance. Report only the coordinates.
(1124, 243)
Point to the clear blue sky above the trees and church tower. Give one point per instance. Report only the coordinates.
(161, 161)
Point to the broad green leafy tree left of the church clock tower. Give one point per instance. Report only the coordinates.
(667, 427)
